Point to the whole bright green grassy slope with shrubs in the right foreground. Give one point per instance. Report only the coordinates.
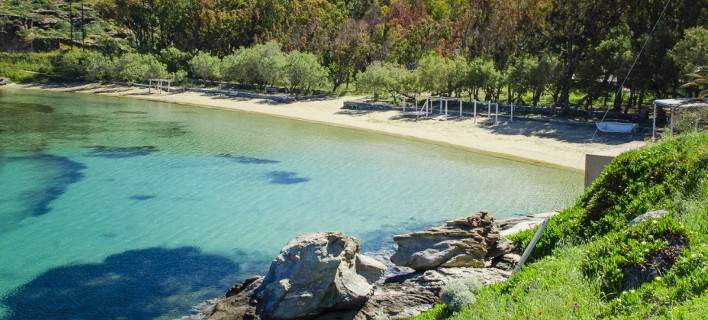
(578, 269)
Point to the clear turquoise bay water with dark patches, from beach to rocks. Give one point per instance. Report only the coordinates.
(116, 208)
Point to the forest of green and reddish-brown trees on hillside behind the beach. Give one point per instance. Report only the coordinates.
(569, 51)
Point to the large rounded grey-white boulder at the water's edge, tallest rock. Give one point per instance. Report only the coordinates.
(314, 273)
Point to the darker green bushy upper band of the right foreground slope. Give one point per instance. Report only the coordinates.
(632, 184)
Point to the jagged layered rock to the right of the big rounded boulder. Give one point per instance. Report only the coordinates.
(464, 242)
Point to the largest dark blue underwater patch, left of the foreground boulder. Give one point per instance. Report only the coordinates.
(135, 284)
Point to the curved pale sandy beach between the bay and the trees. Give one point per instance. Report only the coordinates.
(546, 143)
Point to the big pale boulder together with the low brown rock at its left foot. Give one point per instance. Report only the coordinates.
(313, 274)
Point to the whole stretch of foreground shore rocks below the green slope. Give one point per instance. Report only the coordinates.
(325, 276)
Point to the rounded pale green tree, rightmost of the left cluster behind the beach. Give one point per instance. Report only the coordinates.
(303, 72)
